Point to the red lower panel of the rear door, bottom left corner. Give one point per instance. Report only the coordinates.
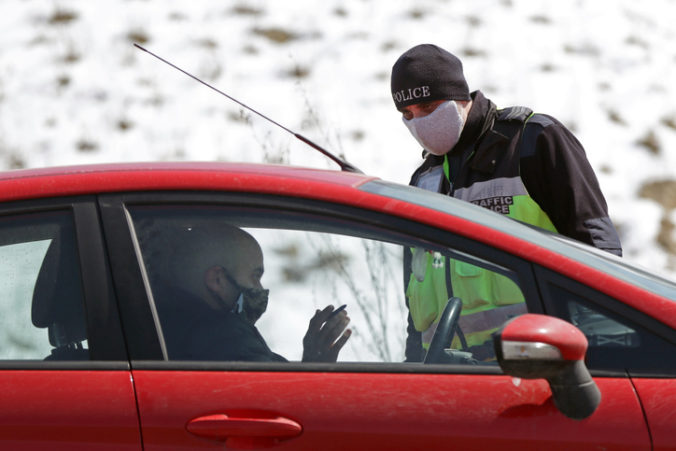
(68, 410)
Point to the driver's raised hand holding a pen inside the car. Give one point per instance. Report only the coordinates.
(324, 339)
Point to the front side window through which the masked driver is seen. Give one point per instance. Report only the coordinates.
(310, 262)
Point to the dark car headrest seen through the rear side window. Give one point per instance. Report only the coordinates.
(57, 297)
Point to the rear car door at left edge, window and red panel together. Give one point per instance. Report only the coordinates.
(63, 369)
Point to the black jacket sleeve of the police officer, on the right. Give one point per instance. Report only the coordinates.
(558, 176)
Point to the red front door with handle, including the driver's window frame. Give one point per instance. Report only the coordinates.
(318, 254)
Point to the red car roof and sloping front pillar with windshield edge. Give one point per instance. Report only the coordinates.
(580, 262)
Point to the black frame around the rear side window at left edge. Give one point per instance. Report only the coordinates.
(105, 340)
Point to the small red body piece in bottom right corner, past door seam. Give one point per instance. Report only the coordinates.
(658, 397)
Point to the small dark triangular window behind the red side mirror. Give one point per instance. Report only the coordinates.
(617, 342)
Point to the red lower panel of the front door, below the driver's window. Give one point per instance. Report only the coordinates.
(383, 411)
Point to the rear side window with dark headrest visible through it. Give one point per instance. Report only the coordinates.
(41, 308)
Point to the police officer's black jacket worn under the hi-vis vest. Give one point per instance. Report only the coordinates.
(551, 163)
